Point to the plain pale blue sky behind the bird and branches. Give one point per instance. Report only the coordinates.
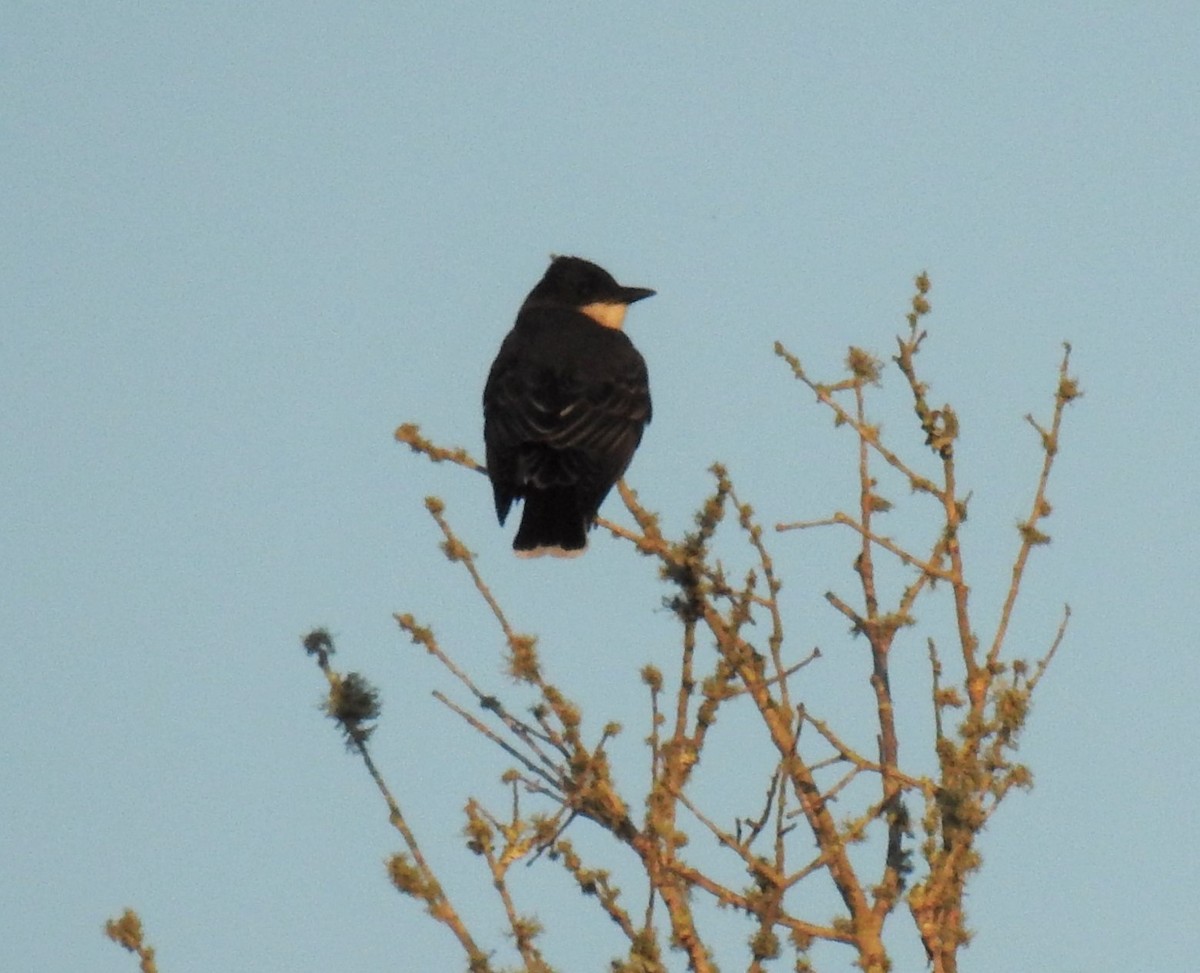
(242, 243)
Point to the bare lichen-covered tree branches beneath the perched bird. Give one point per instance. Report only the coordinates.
(859, 824)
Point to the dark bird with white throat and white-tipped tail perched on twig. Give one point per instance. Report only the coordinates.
(565, 406)
